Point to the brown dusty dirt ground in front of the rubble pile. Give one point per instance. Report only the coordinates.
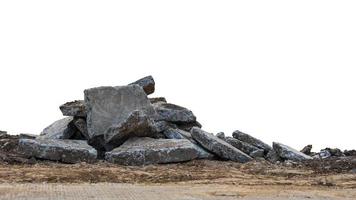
(27, 178)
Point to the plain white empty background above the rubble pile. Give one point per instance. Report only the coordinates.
(279, 70)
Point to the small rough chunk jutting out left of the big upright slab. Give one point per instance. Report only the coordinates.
(74, 108)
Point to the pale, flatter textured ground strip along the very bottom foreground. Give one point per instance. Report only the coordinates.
(164, 192)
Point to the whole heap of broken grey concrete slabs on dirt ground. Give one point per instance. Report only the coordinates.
(122, 125)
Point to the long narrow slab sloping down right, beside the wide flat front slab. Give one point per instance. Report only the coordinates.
(218, 146)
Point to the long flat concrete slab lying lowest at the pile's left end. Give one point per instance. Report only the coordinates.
(67, 151)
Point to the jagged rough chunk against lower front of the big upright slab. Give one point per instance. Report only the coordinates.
(137, 124)
